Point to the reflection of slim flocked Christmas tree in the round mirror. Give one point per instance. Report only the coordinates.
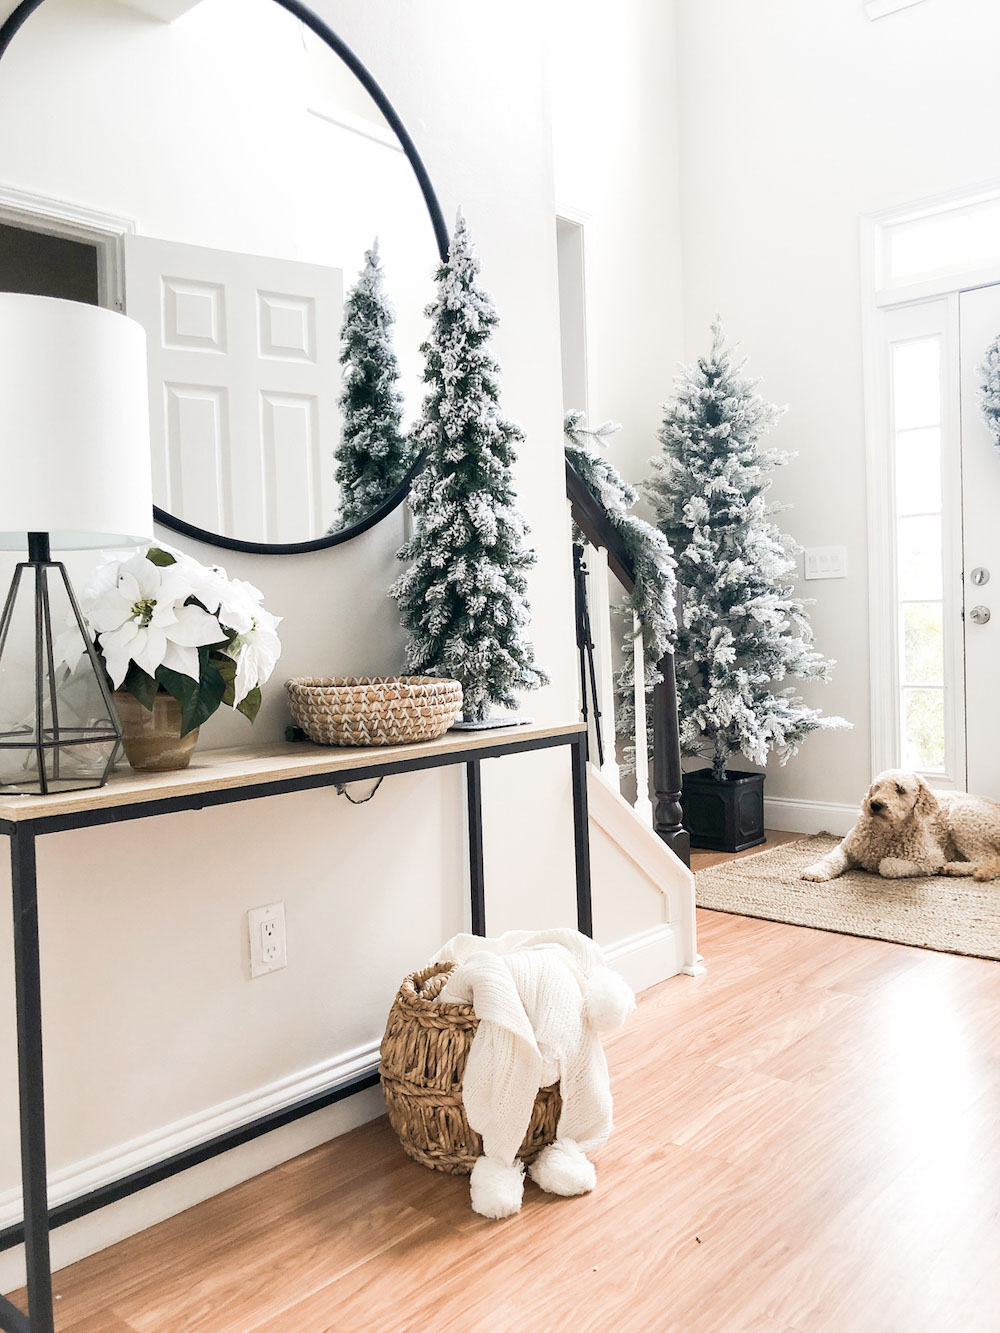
(375, 455)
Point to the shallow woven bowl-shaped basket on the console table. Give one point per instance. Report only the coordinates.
(374, 710)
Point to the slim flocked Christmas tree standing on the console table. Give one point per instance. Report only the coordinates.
(463, 595)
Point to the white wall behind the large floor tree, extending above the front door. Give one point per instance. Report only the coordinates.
(797, 119)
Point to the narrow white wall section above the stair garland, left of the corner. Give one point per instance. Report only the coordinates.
(615, 159)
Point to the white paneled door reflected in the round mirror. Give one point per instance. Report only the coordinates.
(245, 379)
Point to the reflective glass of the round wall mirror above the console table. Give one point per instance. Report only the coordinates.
(226, 177)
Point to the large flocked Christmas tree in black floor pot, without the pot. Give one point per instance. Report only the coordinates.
(743, 630)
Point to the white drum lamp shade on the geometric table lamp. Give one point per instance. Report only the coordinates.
(74, 426)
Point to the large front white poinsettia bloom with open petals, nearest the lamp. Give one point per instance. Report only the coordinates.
(143, 619)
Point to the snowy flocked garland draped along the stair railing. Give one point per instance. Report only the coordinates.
(654, 597)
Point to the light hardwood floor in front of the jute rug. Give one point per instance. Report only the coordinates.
(807, 1142)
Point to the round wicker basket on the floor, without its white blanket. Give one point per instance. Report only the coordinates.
(423, 1060)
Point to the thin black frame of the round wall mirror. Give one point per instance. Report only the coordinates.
(13, 26)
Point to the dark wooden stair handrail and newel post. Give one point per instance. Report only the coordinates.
(593, 521)
